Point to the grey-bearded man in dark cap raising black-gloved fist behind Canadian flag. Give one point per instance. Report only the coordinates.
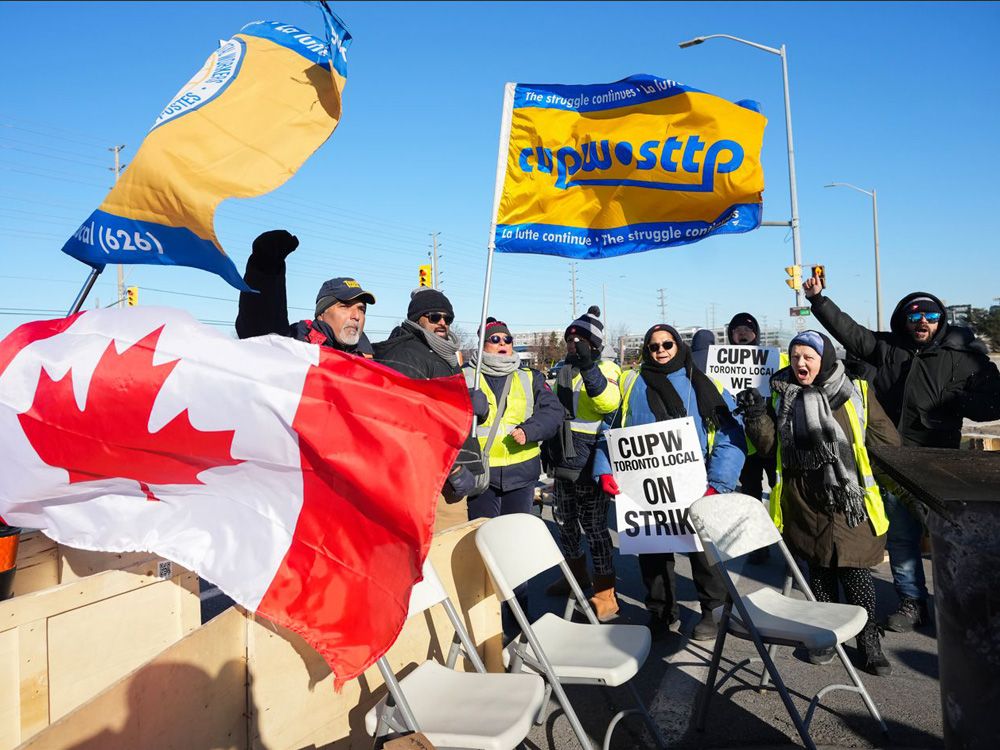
(341, 303)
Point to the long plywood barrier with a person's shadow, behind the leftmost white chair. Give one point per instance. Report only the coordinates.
(289, 701)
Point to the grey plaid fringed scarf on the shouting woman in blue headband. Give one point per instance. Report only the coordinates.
(812, 440)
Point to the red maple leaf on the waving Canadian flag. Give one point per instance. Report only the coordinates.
(110, 436)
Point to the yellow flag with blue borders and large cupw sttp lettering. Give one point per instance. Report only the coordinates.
(595, 171)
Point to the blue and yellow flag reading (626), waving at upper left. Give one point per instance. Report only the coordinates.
(264, 101)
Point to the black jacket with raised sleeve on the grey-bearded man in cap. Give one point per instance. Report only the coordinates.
(267, 312)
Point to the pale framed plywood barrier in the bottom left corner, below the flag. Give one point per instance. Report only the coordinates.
(59, 646)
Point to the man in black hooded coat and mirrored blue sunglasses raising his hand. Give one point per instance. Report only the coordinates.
(929, 375)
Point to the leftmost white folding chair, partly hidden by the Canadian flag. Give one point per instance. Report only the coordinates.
(456, 709)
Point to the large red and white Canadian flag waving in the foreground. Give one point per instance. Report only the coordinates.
(301, 481)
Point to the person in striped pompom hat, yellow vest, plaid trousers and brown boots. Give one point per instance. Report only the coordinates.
(587, 388)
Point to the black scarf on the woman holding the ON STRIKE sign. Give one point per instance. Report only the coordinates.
(661, 395)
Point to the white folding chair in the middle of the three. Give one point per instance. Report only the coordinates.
(516, 548)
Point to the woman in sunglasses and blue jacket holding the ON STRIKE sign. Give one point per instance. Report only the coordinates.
(667, 385)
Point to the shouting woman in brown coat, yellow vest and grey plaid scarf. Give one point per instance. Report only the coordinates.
(826, 502)
